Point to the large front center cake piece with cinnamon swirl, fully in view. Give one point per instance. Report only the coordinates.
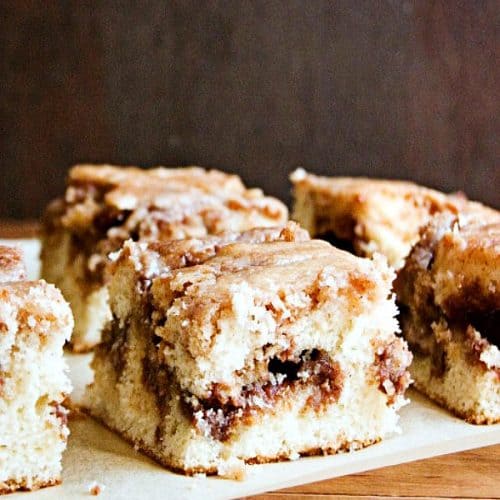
(237, 348)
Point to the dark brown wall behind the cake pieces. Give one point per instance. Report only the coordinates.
(397, 88)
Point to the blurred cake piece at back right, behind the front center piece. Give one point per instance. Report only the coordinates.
(371, 215)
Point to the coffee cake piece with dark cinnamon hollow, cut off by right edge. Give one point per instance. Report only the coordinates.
(449, 291)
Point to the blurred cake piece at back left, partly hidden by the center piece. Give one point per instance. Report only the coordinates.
(104, 206)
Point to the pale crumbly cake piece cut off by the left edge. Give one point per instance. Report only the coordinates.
(35, 322)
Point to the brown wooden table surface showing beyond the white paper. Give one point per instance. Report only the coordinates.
(470, 474)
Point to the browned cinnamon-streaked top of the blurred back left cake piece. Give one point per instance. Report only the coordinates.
(104, 206)
